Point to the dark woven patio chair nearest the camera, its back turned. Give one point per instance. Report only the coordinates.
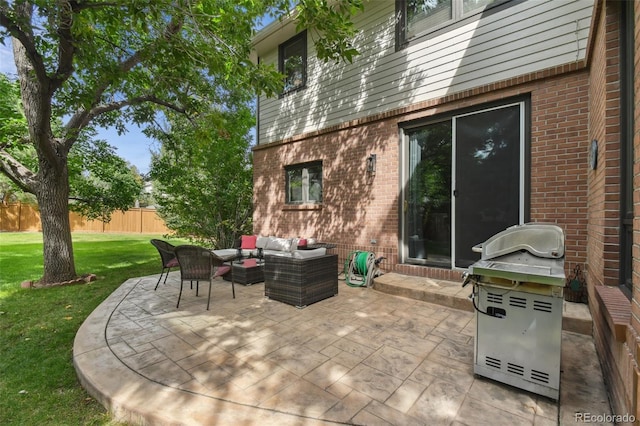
(200, 264)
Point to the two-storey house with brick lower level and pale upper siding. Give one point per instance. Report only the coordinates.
(456, 122)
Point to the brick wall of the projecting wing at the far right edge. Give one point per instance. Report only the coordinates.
(618, 352)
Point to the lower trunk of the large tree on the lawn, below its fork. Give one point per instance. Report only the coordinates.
(53, 200)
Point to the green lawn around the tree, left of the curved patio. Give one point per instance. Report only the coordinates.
(38, 383)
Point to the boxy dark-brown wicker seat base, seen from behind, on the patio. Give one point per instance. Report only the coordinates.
(300, 282)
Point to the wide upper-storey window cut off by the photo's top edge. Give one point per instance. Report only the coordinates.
(420, 17)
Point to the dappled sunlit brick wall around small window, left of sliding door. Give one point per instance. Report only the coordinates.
(357, 206)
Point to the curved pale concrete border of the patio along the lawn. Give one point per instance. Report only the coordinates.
(129, 397)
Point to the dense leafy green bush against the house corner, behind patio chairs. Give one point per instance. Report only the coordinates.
(203, 176)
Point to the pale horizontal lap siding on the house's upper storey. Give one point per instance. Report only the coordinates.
(524, 38)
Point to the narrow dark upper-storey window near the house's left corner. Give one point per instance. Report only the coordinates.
(293, 62)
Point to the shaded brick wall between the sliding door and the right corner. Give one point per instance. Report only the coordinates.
(559, 160)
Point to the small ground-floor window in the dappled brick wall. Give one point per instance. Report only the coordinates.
(304, 183)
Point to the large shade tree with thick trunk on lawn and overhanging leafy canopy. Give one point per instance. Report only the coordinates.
(90, 63)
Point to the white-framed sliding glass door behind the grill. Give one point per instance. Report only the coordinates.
(463, 182)
